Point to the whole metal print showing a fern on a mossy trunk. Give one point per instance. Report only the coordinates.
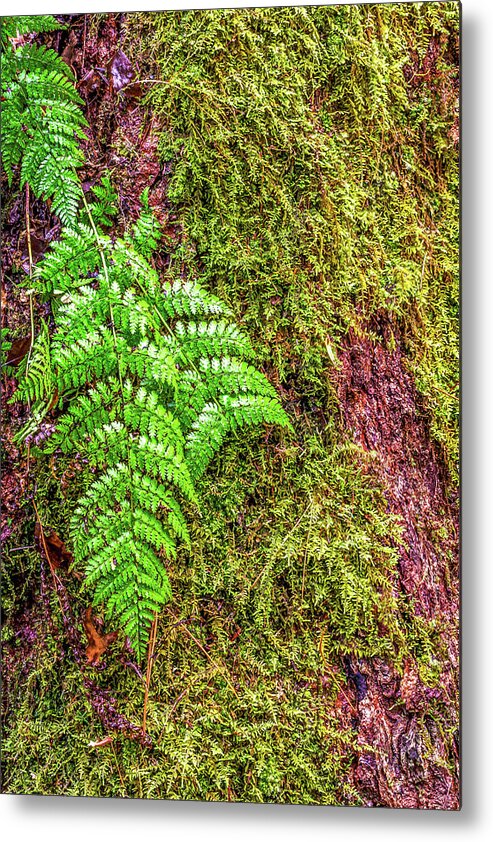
(230, 348)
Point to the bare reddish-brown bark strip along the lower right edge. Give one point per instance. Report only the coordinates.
(406, 759)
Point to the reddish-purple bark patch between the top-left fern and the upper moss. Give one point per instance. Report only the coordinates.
(122, 135)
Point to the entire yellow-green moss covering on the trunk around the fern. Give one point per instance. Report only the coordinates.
(314, 178)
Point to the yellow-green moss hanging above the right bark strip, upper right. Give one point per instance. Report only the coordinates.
(314, 183)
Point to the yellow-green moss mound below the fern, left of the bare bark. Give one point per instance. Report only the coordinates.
(292, 566)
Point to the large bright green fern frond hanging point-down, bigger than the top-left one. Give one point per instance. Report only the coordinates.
(153, 377)
